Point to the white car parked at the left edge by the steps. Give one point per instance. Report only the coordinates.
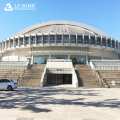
(8, 84)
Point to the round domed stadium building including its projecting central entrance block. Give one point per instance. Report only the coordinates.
(60, 45)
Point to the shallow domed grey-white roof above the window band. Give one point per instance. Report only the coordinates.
(60, 26)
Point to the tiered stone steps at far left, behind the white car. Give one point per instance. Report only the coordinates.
(12, 74)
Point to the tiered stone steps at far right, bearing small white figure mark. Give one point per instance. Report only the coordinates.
(108, 76)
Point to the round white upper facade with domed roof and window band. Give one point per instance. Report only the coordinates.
(76, 39)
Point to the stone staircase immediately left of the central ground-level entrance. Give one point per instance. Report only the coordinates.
(32, 76)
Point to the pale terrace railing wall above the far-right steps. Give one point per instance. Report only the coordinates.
(105, 62)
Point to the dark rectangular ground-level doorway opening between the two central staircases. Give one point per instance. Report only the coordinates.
(59, 78)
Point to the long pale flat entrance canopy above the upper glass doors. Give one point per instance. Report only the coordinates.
(59, 52)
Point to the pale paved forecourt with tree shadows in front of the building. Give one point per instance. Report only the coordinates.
(60, 102)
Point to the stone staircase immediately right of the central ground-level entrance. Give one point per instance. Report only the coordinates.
(86, 77)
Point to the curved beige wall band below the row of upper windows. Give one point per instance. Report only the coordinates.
(23, 53)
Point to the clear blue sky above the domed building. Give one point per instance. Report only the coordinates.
(101, 14)
